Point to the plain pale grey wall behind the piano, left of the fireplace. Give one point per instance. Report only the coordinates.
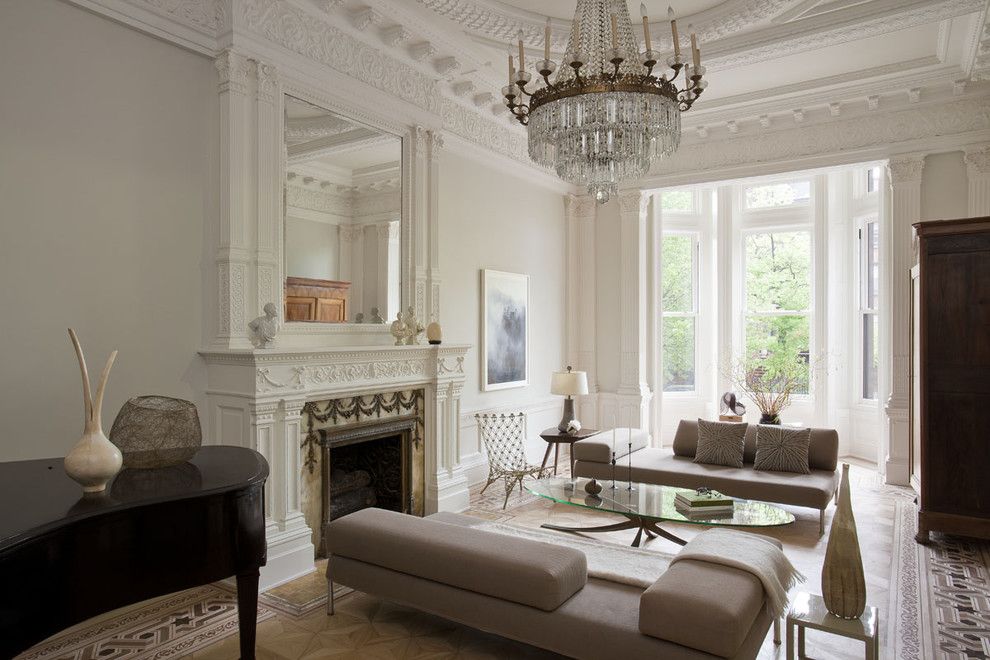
(107, 182)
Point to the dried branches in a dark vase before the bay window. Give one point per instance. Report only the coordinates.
(768, 384)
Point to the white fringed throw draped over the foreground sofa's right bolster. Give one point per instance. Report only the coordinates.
(749, 553)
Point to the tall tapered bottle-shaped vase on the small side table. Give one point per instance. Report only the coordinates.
(843, 584)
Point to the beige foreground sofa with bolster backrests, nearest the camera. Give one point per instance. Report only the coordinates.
(540, 593)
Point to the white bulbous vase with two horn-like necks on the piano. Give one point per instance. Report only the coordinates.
(94, 460)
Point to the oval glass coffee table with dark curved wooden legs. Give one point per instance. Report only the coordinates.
(648, 505)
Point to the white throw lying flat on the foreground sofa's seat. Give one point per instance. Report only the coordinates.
(606, 561)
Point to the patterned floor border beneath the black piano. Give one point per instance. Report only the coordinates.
(170, 627)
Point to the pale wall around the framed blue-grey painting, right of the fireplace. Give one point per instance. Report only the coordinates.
(491, 219)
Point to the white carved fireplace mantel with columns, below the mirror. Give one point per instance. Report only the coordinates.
(255, 399)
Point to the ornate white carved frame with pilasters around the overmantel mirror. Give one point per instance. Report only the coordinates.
(249, 246)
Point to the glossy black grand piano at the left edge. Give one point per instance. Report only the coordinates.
(65, 556)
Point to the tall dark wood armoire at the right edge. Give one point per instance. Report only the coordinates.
(951, 400)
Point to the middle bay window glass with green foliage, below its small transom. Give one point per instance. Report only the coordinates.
(778, 301)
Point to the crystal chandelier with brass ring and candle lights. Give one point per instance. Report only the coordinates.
(605, 116)
